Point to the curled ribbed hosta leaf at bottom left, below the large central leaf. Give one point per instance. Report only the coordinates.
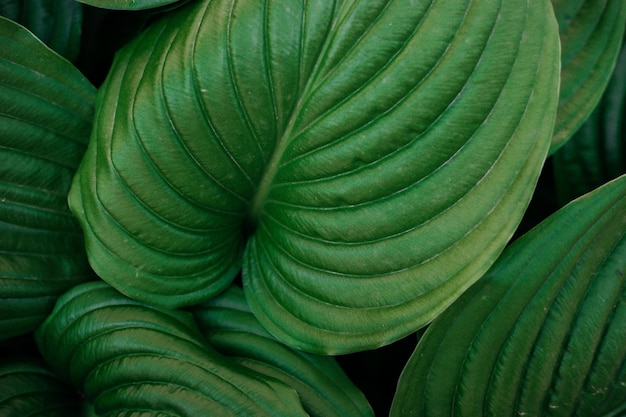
(131, 358)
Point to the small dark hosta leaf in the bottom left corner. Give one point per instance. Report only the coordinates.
(29, 388)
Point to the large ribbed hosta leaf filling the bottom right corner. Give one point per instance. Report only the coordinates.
(542, 333)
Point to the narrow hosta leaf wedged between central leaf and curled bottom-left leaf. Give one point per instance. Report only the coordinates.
(231, 328)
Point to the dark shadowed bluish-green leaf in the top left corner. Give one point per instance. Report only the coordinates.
(58, 23)
